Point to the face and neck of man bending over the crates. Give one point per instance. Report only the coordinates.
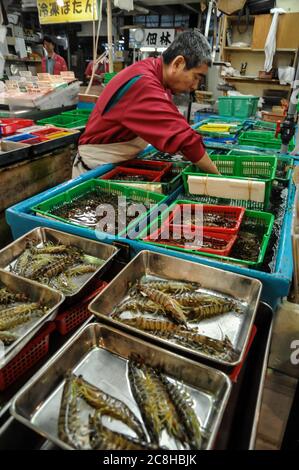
(181, 80)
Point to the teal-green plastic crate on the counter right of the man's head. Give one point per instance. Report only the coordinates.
(237, 106)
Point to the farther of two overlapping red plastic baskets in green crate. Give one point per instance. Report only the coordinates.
(234, 214)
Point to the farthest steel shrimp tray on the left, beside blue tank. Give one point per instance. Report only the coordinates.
(40, 235)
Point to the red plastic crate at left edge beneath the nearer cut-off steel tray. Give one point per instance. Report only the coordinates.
(31, 353)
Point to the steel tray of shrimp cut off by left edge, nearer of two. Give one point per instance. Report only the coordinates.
(36, 293)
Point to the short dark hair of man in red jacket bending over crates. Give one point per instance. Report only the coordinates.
(193, 46)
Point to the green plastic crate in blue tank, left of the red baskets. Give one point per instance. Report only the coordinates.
(82, 189)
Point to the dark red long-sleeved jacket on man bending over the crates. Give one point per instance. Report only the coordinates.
(145, 110)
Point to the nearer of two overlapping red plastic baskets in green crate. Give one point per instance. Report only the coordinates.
(181, 230)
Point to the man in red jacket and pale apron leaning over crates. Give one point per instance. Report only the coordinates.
(136, 108)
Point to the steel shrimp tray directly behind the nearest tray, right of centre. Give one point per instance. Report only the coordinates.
(236, 326)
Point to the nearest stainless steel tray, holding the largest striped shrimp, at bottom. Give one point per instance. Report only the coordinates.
(100, 354)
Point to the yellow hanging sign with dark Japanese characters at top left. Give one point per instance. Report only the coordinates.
(66, 11)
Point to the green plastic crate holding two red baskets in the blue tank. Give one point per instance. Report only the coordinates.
(257, 219)
